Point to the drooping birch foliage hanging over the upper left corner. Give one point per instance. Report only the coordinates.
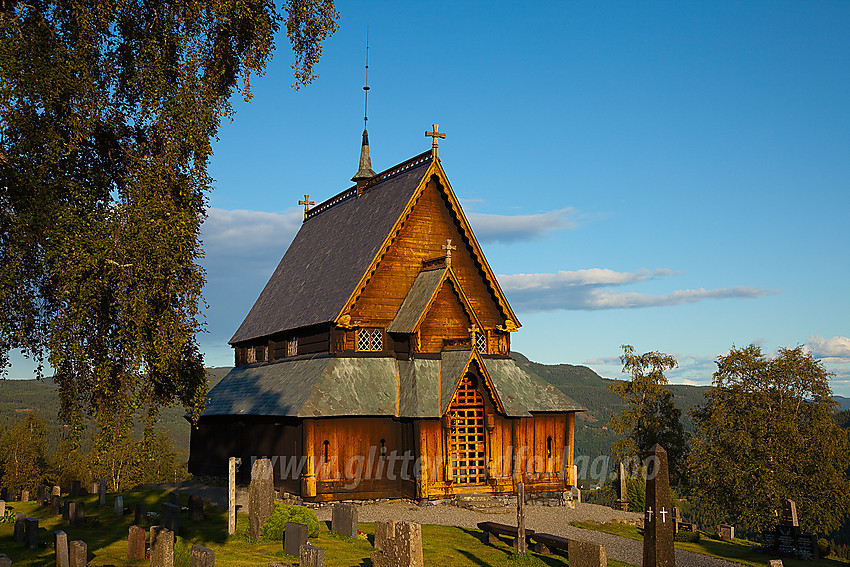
(107, 112)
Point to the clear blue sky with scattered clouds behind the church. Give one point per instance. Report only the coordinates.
(664, 174)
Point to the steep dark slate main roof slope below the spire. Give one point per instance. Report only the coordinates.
(328, 256)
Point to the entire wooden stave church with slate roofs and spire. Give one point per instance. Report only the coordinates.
(375, 363)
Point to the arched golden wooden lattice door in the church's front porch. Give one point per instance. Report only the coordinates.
(468, 451)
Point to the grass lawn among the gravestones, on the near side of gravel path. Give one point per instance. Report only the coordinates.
(106, 537)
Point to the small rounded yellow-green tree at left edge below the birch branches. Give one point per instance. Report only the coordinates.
(22, 454)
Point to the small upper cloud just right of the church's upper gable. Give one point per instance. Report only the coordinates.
(513, 228)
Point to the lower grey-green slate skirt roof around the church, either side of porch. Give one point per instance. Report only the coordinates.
(348, 386)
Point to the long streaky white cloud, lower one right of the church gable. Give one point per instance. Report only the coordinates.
(587, 290)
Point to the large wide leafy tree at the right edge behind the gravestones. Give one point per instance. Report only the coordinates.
(766, 434)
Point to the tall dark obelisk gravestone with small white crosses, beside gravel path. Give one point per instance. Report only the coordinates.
(658, 548)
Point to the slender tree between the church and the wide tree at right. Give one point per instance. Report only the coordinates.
(650, 416)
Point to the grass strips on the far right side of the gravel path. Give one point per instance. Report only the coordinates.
(739, 550)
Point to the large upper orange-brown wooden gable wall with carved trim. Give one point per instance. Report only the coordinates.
(432, 217)
